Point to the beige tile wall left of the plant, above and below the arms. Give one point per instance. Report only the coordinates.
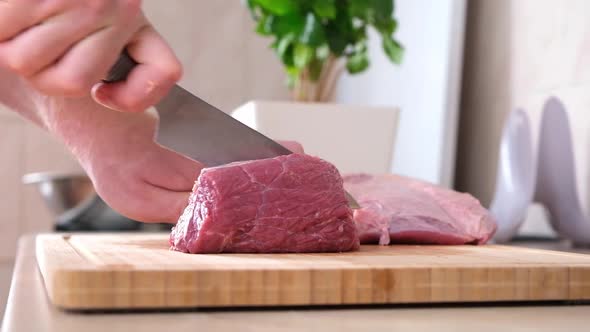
(225, 63)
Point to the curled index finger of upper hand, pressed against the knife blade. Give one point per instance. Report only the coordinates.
(150, 81)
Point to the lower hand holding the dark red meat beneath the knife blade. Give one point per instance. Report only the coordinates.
(131, 172)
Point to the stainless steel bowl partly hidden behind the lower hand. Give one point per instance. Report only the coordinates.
(61, 191)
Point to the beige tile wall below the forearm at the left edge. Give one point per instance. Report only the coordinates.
(23, 149)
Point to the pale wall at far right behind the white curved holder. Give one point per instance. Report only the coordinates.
(518, 53)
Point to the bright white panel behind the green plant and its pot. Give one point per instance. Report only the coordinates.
(425, 86)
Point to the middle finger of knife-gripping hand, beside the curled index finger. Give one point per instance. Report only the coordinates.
(83, 65)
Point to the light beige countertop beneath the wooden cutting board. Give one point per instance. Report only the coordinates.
(29, 310)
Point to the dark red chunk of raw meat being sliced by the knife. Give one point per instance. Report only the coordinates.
(293, 203)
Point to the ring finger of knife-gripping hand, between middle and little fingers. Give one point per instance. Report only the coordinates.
(42, 45)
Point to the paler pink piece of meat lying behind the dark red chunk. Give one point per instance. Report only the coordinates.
(396, 209)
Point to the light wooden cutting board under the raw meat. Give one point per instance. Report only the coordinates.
(138, 271)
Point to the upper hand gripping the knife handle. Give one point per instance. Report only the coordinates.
(66, 47)
